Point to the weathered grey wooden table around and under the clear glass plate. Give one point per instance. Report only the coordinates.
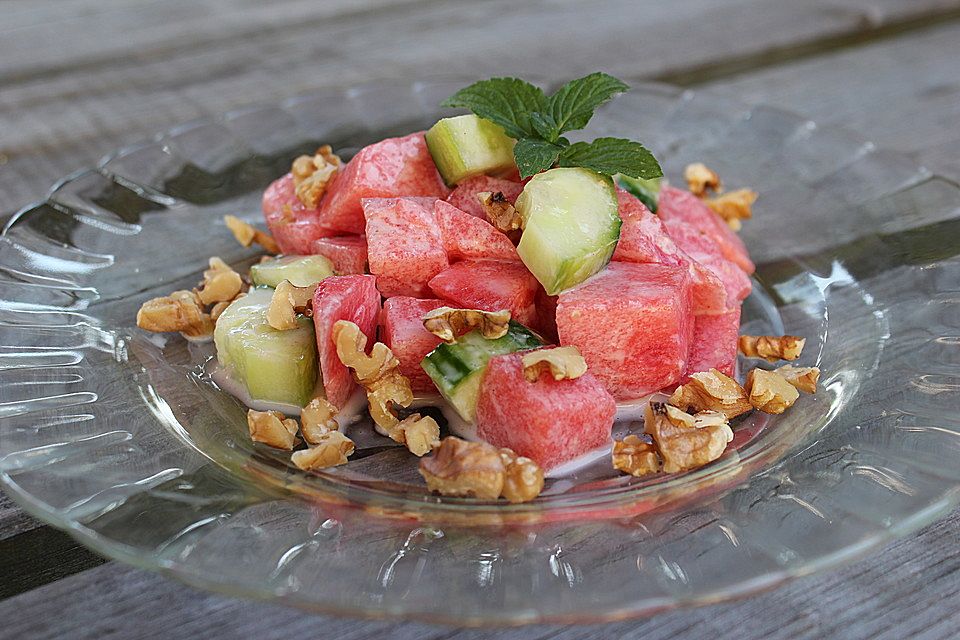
(79, 78)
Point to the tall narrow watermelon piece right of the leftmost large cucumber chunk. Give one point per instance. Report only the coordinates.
(353, 298)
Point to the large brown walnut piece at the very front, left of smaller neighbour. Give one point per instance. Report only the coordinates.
(461, 468)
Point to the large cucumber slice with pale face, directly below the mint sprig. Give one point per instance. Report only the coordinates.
(571, 226)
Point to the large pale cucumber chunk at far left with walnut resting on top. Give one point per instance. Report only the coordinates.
(274, 366)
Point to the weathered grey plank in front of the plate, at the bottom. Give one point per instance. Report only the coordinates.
(911, 589)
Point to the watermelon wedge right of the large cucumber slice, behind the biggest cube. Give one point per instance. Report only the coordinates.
(644, 239)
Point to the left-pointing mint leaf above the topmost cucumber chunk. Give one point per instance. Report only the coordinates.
(506, 101)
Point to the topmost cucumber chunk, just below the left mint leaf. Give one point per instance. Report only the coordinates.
(467, 146)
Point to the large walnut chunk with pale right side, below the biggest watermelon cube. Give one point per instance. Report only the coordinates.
(682, 447)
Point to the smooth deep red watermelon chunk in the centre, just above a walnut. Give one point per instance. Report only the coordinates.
(489, 285)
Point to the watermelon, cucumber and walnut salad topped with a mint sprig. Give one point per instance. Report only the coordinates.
(536, 289)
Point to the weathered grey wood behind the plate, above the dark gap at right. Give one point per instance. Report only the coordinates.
(60, 113)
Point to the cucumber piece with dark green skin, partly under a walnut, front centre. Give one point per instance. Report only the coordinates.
(457, 368)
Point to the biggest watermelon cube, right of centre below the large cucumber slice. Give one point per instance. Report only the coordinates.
(632, 323)
